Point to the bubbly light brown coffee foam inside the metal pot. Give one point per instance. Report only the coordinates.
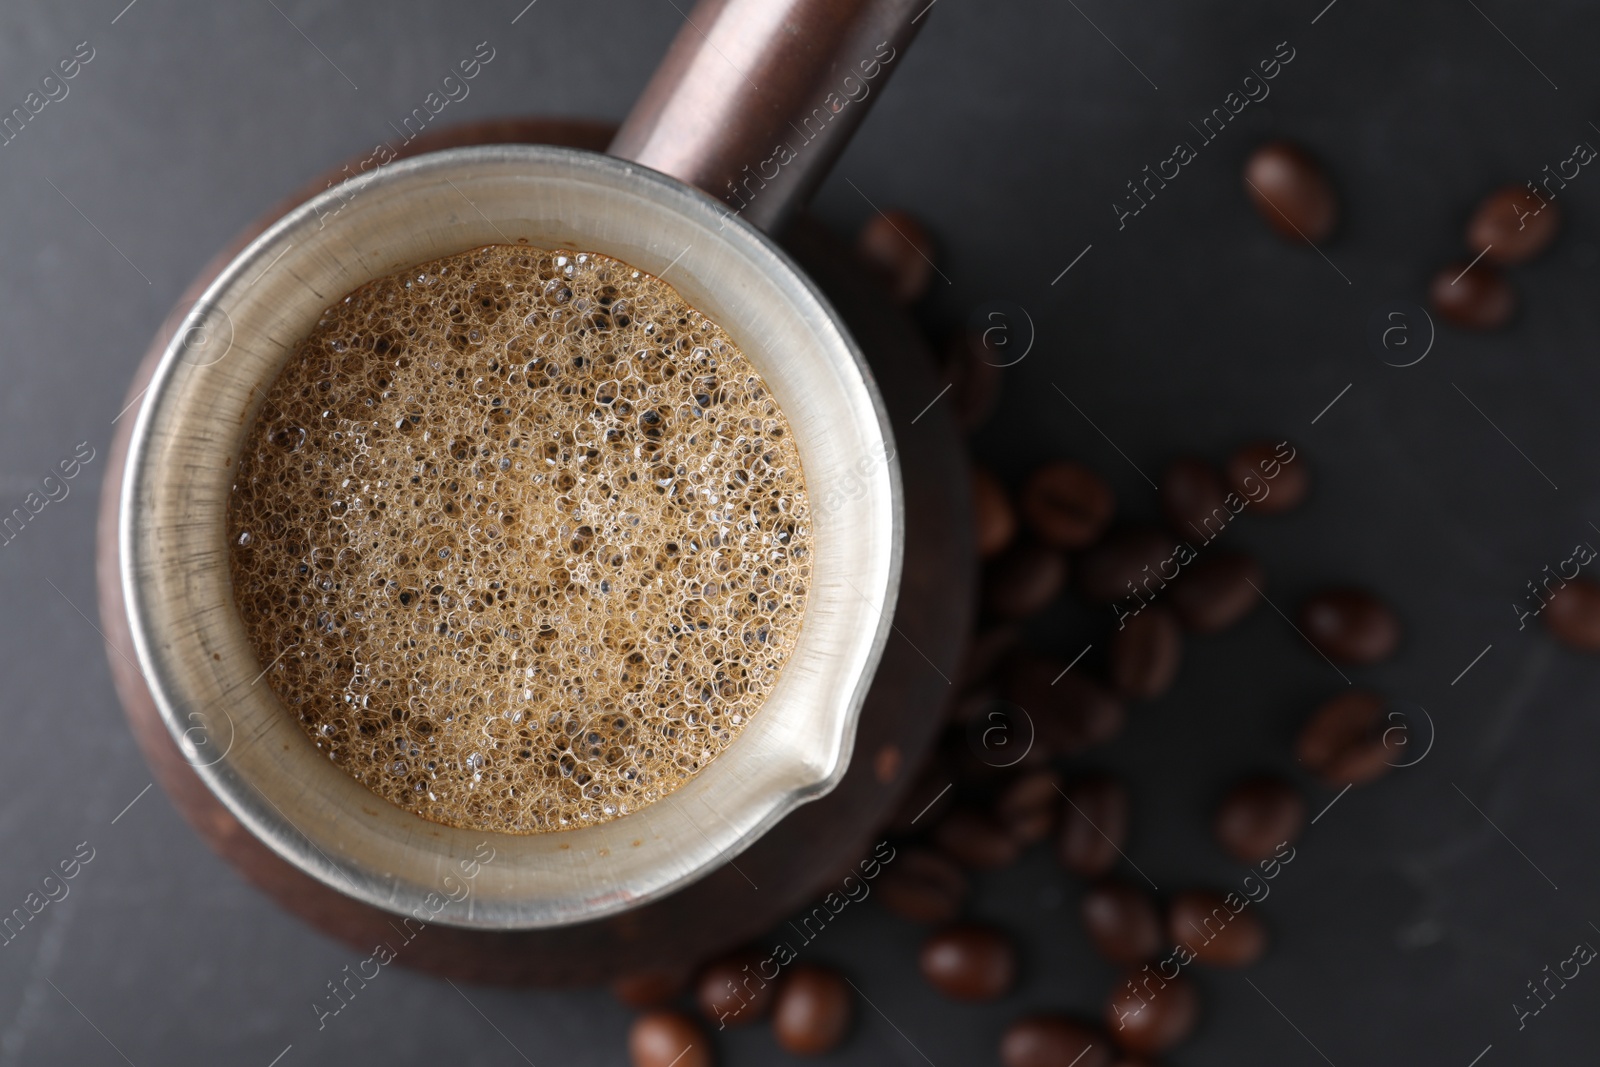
(521, 538)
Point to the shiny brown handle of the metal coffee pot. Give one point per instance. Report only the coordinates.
(758, 98)
